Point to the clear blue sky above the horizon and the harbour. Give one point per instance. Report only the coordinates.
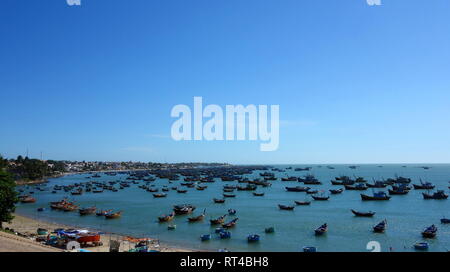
(355, 84)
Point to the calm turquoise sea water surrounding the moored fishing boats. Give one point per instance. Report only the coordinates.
(406, 215)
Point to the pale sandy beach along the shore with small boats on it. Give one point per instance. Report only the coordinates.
(25, 240)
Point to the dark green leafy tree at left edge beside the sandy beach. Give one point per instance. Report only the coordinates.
(8, 197)
